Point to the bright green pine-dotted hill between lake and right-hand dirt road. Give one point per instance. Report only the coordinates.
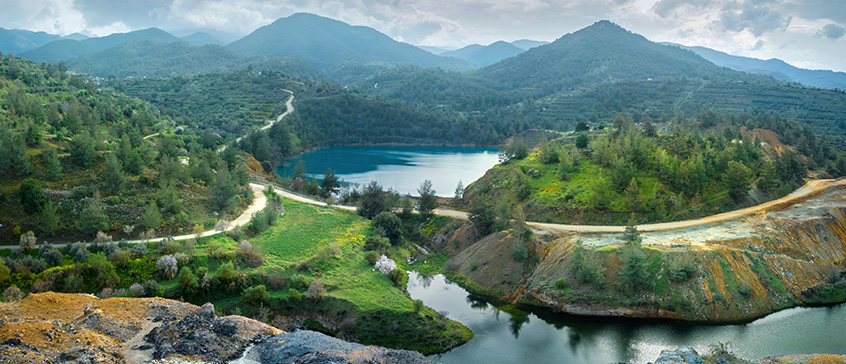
(635, 172)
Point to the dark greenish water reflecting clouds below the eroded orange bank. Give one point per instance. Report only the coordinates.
(512, 334)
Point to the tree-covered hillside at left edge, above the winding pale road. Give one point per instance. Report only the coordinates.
(77, 160)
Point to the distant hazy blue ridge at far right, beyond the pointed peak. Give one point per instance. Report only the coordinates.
(776, 68)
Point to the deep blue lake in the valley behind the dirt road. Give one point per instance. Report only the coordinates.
(399, 167)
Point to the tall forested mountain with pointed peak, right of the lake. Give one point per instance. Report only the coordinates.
(602, 52)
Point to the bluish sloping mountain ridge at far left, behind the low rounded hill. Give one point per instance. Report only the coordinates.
(66, 49)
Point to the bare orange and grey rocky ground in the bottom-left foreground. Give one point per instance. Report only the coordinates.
(57, 327)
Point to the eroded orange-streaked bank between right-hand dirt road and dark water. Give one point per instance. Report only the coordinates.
(737, 269)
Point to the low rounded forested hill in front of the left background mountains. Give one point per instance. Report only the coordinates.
(157, 59)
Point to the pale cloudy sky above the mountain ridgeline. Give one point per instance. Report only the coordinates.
(806, 33)
